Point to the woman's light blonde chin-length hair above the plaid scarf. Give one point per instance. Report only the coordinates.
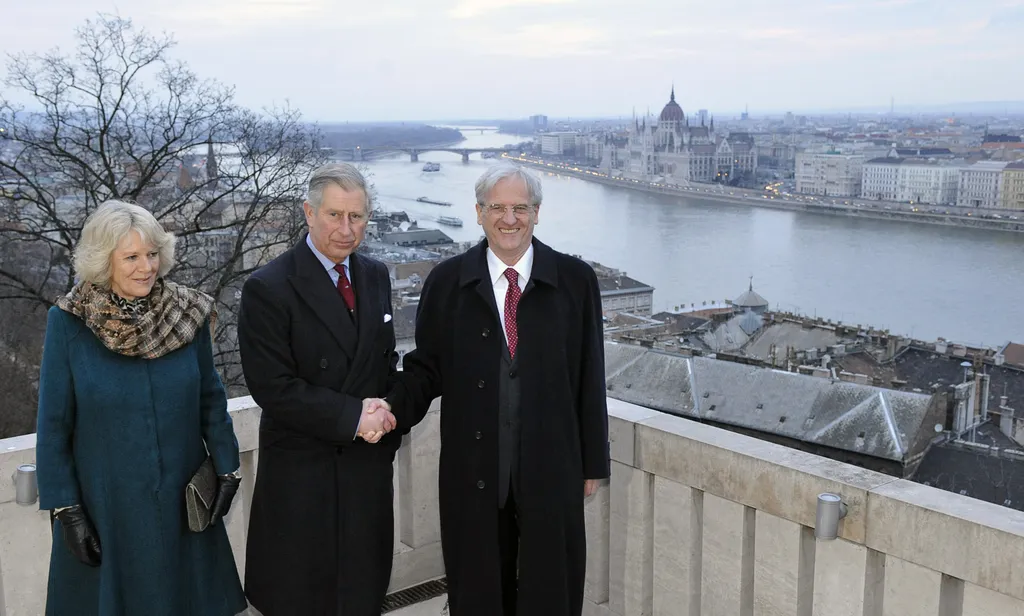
(106, 228)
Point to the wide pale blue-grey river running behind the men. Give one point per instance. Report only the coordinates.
(920, 281)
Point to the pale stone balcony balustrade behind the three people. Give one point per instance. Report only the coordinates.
(697, 521)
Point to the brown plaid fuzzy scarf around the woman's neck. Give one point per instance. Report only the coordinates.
(167, 321)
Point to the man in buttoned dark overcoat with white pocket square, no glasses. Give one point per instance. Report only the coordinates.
(318, 344)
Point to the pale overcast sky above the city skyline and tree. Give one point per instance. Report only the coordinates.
(435, 60)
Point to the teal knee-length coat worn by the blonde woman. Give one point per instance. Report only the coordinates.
(122, 436)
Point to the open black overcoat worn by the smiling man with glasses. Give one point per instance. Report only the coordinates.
(565, 426)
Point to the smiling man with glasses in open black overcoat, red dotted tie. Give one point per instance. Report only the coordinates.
(510, 336)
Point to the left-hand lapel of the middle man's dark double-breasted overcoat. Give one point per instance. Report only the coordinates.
(314, 285)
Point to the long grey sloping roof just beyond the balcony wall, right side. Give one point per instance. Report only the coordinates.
(871, 421)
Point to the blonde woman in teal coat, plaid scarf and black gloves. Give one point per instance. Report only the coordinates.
(130, 405)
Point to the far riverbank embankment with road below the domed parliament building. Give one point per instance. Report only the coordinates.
(757, 199)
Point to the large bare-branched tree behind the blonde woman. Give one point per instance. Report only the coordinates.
(120, 119)
